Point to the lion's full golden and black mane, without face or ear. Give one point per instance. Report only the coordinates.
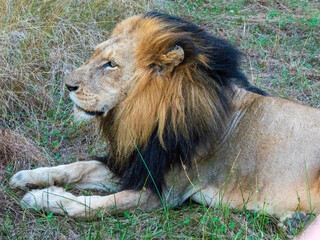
(164, 119)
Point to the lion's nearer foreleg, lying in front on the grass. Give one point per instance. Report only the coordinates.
(57, 200)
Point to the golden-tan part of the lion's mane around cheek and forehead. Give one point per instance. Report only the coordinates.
(154, 98)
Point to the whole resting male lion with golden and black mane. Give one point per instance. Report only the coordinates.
(182, 122)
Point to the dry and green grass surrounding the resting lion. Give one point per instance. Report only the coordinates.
(41, 41)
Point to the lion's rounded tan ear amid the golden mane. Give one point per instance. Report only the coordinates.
(170, 60)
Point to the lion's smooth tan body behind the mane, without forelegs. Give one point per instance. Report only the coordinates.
(271, 160)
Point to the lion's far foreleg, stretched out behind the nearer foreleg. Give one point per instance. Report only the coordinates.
(84, 174)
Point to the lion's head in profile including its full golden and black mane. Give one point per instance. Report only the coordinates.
(159, 87)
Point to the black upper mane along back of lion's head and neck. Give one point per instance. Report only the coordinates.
(224, 58)
